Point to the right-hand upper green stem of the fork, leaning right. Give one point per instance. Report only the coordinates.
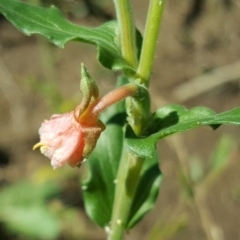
(152, 29)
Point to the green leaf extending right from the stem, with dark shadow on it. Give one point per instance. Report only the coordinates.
(173, 119)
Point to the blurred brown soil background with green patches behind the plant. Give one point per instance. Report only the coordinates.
(197, 63)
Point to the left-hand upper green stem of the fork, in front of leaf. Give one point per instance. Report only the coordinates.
(127, 31)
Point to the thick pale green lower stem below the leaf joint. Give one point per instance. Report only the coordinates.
(126, 185)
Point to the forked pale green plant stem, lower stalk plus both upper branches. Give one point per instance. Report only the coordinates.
(130, 165)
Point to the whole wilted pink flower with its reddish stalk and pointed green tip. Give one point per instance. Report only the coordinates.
(71, 137)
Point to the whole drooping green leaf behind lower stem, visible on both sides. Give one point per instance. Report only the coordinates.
(99, 187)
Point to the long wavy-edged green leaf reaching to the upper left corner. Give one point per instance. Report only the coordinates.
(50, 23)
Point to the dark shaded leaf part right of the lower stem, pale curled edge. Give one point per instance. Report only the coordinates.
(147, 190)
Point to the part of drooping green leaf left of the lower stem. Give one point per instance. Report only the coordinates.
(98, 189)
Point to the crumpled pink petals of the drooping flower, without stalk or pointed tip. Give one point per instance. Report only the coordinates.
(64, 140)
